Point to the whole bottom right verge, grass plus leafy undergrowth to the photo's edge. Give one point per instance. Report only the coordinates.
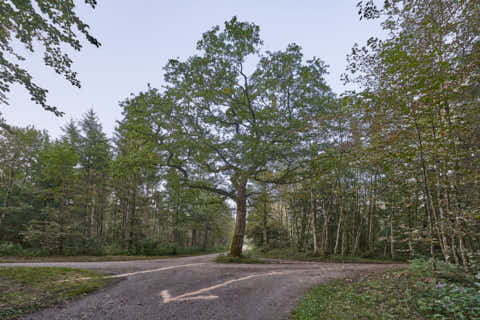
(412, 293)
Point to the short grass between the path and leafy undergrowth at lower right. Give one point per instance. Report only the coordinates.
(378, 296)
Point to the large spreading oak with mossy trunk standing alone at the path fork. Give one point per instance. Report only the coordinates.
(223, 127)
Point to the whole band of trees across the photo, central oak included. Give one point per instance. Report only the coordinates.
(389, 169)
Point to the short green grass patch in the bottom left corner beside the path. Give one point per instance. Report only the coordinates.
(27, 289)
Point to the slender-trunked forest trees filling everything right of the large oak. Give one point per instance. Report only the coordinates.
(397, 173)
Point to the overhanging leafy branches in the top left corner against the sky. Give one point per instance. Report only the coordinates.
(52, 24)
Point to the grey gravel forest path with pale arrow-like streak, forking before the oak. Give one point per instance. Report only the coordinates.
(198, 288)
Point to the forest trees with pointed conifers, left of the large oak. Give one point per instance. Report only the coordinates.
(86, 194)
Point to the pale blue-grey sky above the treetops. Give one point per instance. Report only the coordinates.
(138, 37)
